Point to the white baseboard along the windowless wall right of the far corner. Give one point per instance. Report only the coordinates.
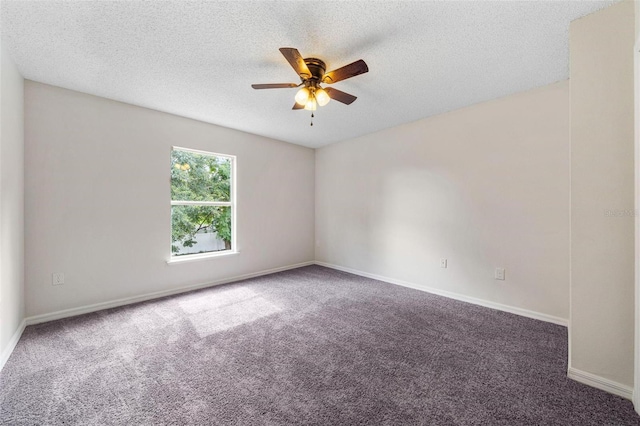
(493, 305)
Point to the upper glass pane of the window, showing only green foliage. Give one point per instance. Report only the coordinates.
(199, 177)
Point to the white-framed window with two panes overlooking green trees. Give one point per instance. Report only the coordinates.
(202, 202)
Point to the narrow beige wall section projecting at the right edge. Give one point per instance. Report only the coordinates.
(602, 194)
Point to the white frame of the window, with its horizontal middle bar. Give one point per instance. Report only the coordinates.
(231, 204)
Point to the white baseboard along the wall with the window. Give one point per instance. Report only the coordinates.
(37, 319)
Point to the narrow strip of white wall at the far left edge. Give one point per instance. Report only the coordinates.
(11, 203)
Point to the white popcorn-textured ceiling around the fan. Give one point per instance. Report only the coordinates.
(198, 59)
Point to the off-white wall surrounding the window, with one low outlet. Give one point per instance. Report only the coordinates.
(97, 200)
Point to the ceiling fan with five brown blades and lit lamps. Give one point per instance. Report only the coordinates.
(312, 73)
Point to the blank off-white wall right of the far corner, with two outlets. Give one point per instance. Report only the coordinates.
(485, 186)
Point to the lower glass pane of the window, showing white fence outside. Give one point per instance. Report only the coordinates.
(200, 229)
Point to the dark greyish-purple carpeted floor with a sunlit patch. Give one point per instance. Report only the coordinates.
(306, 346)
